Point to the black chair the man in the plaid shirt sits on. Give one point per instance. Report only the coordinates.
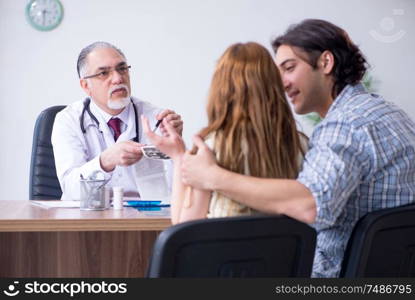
(382, 244)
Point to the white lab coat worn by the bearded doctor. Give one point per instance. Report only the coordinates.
(77, 153)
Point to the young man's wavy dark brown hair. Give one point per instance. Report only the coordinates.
(313, 37)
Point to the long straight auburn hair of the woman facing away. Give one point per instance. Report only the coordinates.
(247, 103)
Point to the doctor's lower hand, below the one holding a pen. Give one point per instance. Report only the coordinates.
(120, 154)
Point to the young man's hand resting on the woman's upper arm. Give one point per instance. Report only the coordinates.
(198, 170)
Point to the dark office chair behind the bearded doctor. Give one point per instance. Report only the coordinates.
(43, 182)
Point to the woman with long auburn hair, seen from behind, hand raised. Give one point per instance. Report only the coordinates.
(250, 128)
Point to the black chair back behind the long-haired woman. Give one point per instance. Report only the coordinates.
(248, 246)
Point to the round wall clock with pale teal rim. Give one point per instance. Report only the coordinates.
(44, 14)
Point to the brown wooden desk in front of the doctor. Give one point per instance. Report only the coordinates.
(68, 242)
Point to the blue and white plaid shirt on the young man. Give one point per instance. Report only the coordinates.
(361, 158)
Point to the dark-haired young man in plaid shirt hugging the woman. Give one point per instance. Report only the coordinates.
(361, 157)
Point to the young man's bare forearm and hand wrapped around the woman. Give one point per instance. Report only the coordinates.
(275, 196)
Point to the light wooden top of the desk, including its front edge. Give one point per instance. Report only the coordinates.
(23, 216)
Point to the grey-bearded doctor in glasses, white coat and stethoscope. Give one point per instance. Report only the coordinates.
(103, 132)
